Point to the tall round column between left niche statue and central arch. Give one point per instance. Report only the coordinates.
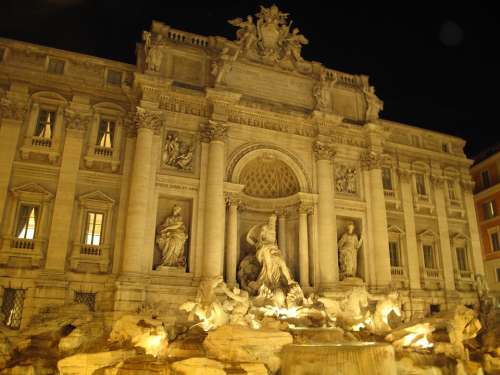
(213, 257)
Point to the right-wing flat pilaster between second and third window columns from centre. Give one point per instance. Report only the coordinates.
(444, 233)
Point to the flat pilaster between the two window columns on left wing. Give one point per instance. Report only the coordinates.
(60, 229)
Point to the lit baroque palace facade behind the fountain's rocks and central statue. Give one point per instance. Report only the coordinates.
(127, 184)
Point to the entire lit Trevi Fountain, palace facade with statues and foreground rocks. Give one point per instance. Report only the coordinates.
(221, 224)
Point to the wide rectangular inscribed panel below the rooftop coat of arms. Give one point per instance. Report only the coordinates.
(272, 85)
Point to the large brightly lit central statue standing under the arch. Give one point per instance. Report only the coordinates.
(274, 284)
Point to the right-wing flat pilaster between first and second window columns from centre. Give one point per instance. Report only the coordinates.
(413, 265)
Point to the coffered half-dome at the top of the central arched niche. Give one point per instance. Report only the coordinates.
(266, 176)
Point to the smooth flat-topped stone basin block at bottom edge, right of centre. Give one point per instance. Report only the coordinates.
(353, 358)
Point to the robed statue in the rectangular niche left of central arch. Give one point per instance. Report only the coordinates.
(171, 239)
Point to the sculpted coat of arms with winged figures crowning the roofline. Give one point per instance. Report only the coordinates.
(270, 37)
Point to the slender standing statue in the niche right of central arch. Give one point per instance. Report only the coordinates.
(348, 246)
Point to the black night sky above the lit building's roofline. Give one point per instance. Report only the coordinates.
(435, 64)
